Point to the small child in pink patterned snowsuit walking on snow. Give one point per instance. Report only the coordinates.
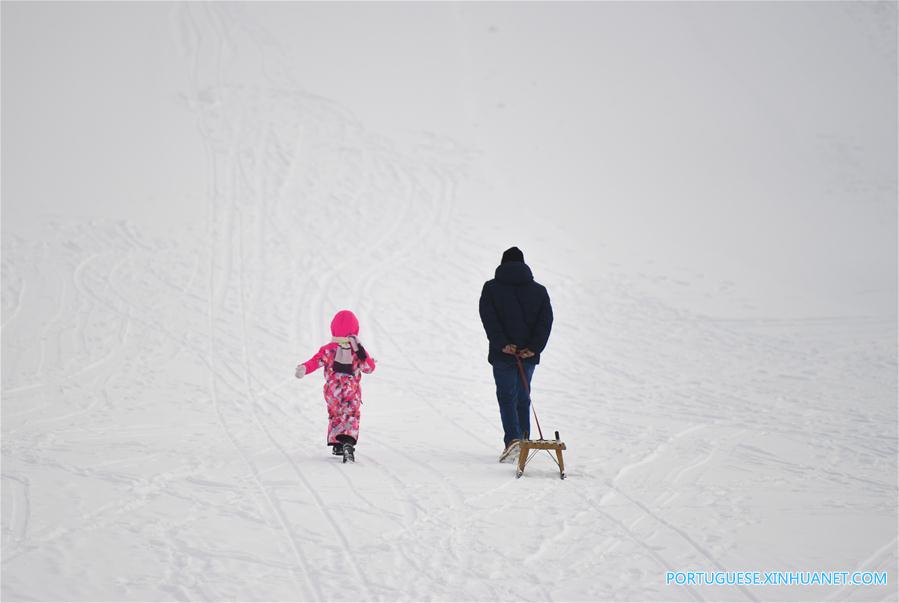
(344, 360)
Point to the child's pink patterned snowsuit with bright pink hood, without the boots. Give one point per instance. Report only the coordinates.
(343, 392)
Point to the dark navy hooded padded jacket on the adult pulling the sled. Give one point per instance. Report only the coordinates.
(515, 309)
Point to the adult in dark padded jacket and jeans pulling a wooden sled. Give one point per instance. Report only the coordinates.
(517, 318)
